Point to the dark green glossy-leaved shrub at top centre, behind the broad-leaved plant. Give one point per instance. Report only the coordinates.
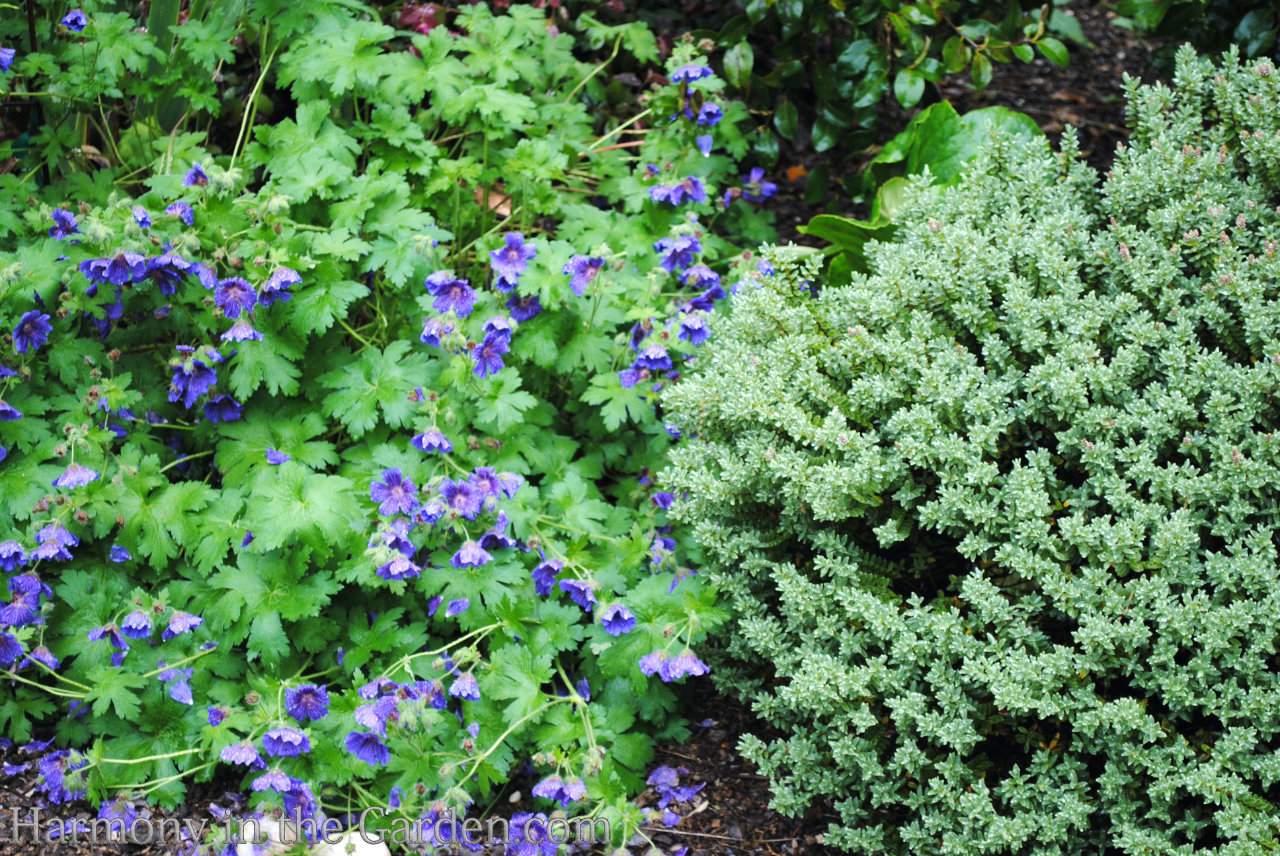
(824, 70)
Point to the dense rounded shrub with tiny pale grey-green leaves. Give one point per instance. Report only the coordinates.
(998, 520)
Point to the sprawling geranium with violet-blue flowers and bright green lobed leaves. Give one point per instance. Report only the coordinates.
(327, 401)
